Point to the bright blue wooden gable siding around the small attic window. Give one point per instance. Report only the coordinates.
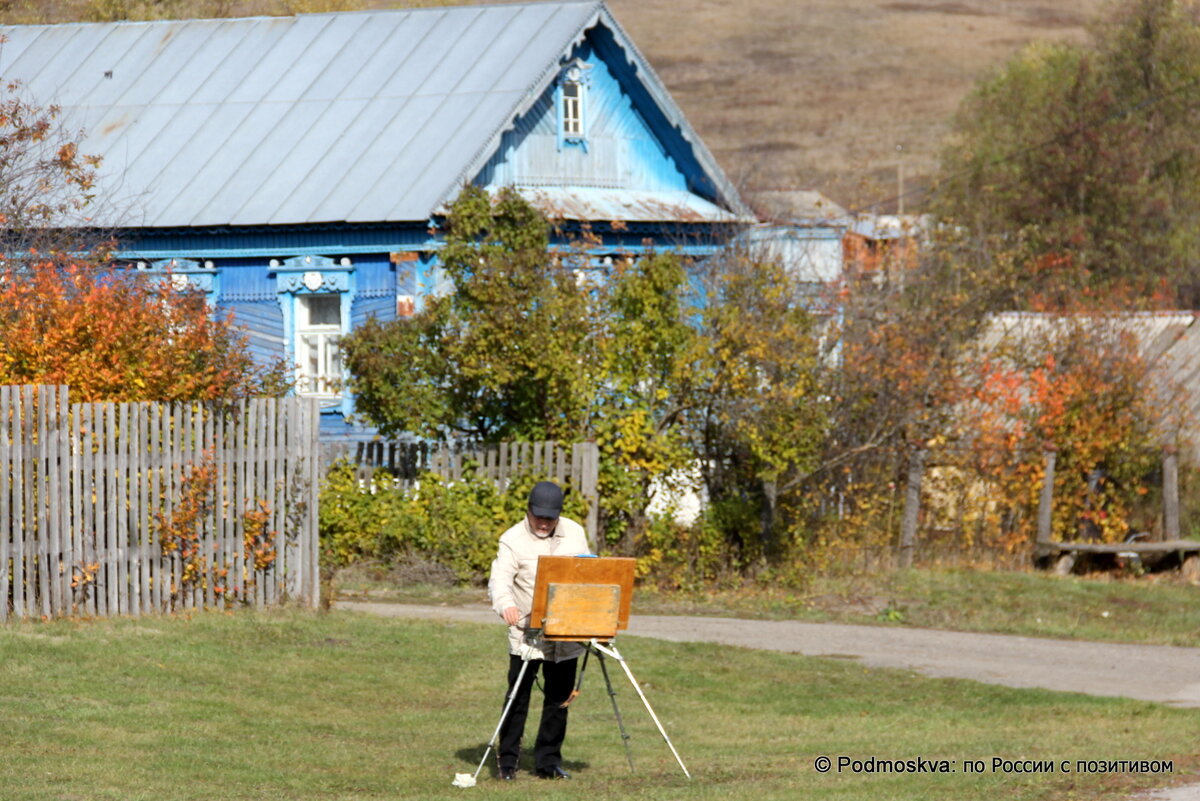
(622, 150)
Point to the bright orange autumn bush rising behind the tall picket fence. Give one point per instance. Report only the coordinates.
(115, 335)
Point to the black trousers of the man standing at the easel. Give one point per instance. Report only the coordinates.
(559, 682)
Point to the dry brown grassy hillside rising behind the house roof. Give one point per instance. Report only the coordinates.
(790, 94)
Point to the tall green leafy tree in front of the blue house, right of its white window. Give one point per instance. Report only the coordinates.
(508, 353)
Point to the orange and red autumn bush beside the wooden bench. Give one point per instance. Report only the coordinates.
(1085, 398)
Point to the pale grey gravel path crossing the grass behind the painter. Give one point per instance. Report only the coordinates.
(1156, 673)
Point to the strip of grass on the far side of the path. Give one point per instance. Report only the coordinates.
(1156, 610)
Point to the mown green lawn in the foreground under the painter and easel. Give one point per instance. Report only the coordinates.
(297, 706)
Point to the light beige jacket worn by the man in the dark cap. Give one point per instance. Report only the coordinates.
(515, 569)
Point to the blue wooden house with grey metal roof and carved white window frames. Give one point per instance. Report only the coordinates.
(296, 168)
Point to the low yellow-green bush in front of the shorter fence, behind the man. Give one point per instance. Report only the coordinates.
(453, 523)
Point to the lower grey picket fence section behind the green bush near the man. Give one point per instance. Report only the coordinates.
(578, 463)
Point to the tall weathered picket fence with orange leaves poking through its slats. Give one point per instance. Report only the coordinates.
(129, 509)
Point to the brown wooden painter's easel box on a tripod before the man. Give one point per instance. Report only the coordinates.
(587, 600)
